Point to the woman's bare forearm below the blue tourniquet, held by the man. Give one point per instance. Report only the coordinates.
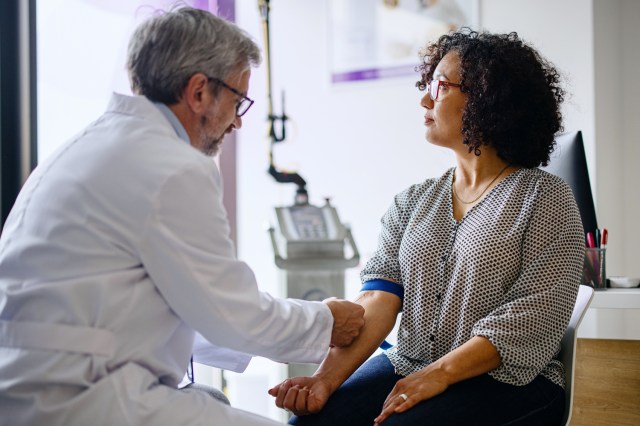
(381, 311)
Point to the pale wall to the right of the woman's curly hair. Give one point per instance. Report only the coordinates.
(595, 44)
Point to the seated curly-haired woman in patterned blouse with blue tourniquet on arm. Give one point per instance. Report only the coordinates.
(484, 262)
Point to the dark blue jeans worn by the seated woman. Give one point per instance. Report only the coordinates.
(481, 400)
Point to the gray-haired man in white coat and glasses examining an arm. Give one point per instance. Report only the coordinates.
(117, 251)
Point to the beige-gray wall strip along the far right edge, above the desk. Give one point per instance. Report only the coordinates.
(617, 128)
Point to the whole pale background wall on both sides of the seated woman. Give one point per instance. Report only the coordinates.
(361, 143)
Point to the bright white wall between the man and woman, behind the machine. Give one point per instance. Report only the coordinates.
(357, 143)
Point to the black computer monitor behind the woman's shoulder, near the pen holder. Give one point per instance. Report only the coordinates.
(569, 162)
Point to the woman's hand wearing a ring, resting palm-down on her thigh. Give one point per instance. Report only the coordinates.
(407, 392)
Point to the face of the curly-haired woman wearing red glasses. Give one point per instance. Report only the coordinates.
(443, 117)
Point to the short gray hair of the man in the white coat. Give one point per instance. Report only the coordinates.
(168, 49)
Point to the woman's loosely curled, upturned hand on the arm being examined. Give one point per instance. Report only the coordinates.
(302, 395)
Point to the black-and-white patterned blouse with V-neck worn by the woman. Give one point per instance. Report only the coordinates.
(508, 271)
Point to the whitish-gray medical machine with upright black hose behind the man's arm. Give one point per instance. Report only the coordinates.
(314, 238)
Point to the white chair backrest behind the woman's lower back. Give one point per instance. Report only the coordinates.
(568, 346)
